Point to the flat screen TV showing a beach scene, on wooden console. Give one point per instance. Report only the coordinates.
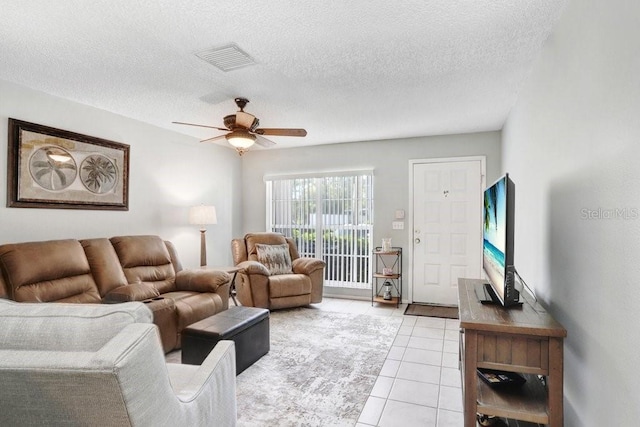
(497, 247)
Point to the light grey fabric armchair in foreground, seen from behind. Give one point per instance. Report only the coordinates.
(90, 365)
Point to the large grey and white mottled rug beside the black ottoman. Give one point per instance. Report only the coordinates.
(320, 370)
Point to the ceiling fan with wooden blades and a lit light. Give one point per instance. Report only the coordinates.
(243, 130)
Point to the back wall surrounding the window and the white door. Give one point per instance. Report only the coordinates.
(390, 162)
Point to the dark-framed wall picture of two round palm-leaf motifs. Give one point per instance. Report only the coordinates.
(57, 169)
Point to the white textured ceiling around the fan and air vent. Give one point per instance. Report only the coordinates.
(344, 70)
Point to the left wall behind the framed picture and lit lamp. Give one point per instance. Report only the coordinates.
(168, 173)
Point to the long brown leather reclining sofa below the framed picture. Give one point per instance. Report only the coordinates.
(119, 269)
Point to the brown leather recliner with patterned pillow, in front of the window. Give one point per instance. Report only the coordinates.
(273, 275)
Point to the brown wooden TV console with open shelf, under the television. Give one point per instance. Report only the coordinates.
(522, 339)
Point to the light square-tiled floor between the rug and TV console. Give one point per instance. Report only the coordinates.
(419, 383)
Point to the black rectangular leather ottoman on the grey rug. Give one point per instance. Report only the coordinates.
(248, 327)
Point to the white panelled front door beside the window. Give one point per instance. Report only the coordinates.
(447, 228)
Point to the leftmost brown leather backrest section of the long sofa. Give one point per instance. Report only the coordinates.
(61, 273)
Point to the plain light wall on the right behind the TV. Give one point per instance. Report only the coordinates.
(572, 146)
